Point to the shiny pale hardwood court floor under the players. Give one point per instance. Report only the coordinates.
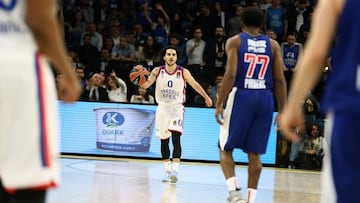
(90, 180)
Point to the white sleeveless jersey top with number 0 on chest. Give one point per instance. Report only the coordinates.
(170, 87)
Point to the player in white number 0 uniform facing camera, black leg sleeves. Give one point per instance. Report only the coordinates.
(170, 87)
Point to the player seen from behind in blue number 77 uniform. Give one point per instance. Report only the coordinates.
(254, 68)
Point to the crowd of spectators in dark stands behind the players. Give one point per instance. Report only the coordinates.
(106, 38)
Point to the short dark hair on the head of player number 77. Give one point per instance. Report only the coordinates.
(253, 17)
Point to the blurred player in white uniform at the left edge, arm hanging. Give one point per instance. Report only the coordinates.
(29, 32)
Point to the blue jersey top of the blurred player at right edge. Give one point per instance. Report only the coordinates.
(343, 90)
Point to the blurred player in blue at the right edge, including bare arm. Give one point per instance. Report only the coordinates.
(341, 100)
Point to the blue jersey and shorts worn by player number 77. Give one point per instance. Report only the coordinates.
(250, 105)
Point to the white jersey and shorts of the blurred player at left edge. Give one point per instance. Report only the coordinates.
(28, 118)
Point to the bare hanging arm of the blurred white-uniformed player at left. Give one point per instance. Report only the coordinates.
(42, 20)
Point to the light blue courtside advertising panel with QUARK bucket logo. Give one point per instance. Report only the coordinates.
(119, 129)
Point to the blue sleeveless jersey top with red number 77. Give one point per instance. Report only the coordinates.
(255, 63)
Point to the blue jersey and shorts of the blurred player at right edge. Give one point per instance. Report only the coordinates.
(341, 100)
